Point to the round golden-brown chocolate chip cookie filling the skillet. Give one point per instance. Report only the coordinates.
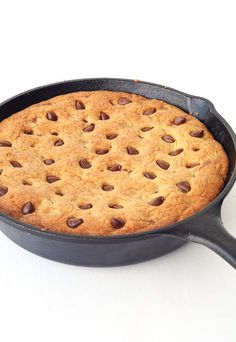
(106, 163)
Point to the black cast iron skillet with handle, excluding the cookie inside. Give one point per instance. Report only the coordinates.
(205, 227)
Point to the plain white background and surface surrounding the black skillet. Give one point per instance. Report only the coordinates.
(188, 295)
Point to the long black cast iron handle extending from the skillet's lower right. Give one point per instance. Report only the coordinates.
(210, 232)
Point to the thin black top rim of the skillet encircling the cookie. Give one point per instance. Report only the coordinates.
(30, 229)
